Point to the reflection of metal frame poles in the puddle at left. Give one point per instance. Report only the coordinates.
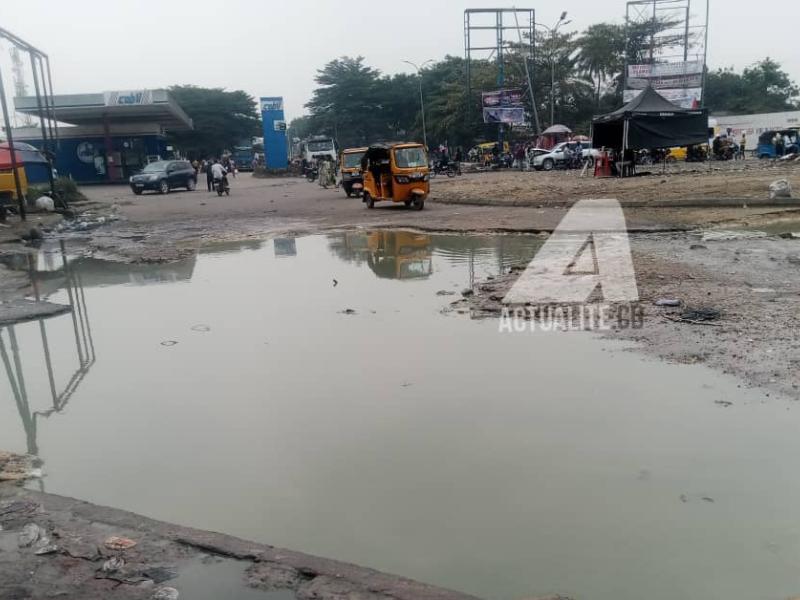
(84, 345)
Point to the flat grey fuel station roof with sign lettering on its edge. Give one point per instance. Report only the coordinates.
(128, 106)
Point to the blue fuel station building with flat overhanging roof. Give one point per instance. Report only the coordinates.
(107, 136)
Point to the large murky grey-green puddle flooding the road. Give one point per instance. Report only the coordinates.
(234, 392)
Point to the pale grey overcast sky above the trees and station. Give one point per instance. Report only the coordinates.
(271, 47)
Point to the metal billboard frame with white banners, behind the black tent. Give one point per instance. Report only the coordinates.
(678, 35)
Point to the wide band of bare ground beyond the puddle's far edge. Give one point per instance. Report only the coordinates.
(164, 228)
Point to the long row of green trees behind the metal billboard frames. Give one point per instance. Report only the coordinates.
(358, 104)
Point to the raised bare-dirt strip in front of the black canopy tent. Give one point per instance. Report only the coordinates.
(680, 182)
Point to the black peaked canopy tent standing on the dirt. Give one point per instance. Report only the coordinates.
(650, 121)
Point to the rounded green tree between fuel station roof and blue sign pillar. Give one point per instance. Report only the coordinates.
(221, 119)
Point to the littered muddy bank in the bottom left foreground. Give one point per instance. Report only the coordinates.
(52, 546)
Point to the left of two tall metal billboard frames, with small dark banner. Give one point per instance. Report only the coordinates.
(490, 33)
